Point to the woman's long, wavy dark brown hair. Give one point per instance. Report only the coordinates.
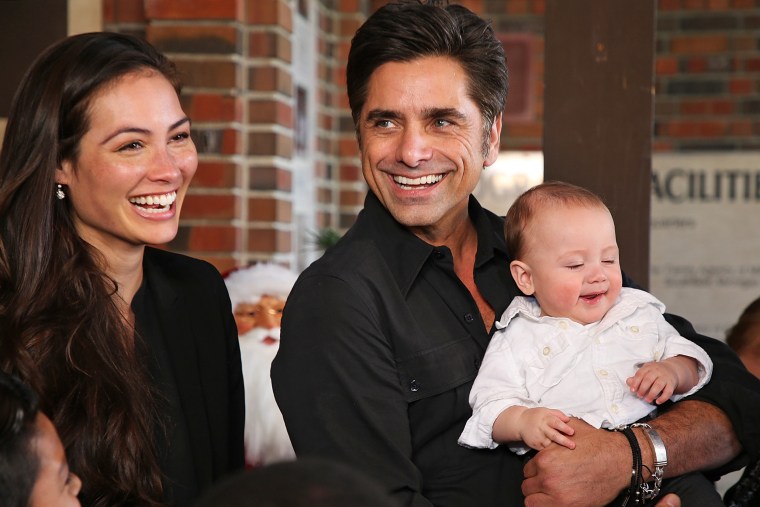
(62, 331)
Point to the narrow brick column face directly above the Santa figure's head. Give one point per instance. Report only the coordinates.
(267, 181)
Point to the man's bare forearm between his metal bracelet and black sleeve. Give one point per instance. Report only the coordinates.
(689, 422)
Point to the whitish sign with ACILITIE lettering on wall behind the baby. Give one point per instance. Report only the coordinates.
(705, 242)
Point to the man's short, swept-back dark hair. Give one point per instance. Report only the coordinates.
(406, 31)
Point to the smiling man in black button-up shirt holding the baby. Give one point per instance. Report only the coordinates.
(386, 331)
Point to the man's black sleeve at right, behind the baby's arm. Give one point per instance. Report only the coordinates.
(731, 388)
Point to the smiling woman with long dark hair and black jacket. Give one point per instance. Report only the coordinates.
(133, 350)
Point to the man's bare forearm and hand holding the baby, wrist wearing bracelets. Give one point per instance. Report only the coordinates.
(586, 476)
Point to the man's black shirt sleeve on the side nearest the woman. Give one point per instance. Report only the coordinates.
(336, 383)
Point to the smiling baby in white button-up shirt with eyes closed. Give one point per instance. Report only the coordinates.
(580, 344)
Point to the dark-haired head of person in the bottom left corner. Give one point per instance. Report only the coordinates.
(33, 468)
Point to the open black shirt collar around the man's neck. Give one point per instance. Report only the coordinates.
(405, 254)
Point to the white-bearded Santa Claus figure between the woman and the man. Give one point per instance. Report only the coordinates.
(258, 295)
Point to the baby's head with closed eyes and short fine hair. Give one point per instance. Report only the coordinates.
(562, 240)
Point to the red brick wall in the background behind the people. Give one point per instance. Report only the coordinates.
(237, 56)
